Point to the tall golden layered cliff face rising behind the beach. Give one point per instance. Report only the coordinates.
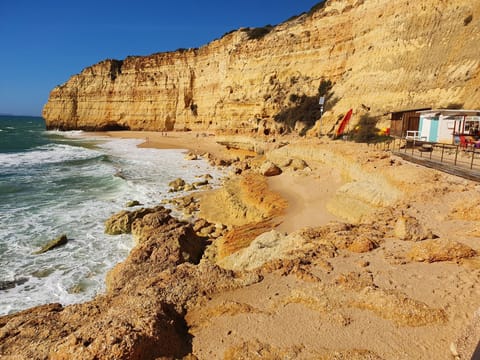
(380, 54)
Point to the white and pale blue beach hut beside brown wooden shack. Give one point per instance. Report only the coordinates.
(447, 125)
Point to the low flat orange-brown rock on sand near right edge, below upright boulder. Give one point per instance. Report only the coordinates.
(438, 250)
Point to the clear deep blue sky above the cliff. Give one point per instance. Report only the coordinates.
(43, 43)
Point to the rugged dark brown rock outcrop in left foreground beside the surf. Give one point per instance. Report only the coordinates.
(140, 316)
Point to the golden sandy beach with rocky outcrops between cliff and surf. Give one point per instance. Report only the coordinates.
(343, 257)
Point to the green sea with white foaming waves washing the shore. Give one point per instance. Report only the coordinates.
(54, 183)
